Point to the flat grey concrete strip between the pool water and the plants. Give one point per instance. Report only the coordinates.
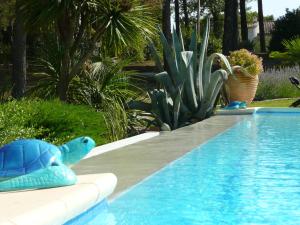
(133, 163)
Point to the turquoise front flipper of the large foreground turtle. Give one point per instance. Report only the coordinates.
(54, 176)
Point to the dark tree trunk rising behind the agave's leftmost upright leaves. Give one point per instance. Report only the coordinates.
(166, 26)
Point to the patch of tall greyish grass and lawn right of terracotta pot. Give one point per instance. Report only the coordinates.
(275, 84)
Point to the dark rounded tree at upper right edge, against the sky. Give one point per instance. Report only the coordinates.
(286, 27)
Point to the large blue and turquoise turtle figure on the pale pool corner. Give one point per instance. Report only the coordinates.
(34, 164)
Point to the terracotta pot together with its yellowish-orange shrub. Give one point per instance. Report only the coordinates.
(246, 67)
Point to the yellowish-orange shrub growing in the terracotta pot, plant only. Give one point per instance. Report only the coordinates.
(251, 64)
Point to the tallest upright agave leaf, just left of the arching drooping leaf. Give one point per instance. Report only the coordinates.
(203, 49)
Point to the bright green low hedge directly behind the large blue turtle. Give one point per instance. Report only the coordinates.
(52, 121)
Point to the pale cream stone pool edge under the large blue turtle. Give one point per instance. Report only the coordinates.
(55, 206)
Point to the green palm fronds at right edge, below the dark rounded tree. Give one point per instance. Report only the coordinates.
(291, 56)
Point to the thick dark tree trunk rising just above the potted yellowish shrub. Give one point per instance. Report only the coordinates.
(231, 34)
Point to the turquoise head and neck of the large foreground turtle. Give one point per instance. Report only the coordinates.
(73, 151)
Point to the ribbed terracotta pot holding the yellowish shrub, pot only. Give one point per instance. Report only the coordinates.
(243, 88)
